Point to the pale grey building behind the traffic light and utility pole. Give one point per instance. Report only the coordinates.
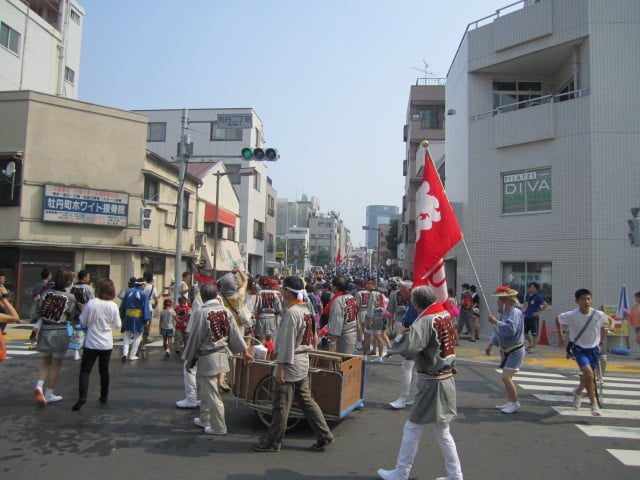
(222, 134)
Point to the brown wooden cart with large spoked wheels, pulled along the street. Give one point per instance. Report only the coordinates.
(337, 385)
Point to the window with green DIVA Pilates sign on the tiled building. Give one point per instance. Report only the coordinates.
(527, 191)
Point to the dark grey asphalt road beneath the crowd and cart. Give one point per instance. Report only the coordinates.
(140, 434)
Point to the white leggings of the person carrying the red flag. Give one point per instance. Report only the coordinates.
(409, 448)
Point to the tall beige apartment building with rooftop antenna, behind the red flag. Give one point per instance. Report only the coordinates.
(425, 121)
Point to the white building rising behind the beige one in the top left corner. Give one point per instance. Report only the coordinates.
(40, 45)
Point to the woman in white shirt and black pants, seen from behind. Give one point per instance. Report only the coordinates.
(100, 317)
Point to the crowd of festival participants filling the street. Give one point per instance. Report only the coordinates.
(289, 317)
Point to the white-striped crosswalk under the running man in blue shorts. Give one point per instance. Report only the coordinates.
(622, 402)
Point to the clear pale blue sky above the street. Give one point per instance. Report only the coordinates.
(329, 79)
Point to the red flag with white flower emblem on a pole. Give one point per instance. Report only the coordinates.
(437, 231)
